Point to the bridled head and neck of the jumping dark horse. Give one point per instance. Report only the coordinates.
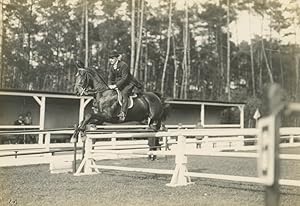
(88, 80)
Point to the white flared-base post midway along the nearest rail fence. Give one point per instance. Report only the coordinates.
(180, 177)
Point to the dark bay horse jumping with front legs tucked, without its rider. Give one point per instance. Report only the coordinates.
(147, 106)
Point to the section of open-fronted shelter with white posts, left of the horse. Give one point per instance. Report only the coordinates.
(49, 109)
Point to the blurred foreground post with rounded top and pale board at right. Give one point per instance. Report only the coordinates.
(270, 145)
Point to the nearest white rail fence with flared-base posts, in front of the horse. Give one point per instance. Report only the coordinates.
(181, 176)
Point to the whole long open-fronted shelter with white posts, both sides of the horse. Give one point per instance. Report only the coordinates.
(52, 110)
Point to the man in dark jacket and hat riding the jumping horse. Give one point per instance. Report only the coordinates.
(121, 78)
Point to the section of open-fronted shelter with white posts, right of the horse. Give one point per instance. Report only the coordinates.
(209, 113)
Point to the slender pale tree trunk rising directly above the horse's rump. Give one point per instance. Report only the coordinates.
(168, 49)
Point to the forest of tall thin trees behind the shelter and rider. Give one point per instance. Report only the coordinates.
(183, 49)
